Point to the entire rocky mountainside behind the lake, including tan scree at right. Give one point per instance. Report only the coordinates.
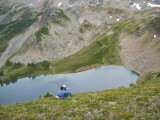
(60, 28)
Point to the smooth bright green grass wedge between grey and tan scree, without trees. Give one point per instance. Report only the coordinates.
(104, 50)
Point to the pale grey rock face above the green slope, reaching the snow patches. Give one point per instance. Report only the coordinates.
(65, 37)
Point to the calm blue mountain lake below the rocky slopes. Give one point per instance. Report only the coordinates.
(96, 79)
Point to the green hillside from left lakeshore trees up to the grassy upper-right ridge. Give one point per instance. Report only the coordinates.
(104, 50)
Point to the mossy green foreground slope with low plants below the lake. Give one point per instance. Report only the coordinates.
(141, 101)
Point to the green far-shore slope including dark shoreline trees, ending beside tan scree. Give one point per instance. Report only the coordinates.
(104, 50)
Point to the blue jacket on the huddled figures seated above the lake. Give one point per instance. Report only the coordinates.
(64, 93)
